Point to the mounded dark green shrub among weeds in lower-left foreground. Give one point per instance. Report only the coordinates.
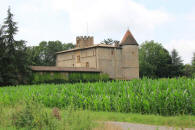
(33, 116)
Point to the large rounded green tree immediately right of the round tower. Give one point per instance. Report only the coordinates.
(154, 60)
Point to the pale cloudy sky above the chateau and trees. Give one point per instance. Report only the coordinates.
(169, 22)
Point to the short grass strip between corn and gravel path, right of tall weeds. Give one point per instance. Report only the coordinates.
(183, 121)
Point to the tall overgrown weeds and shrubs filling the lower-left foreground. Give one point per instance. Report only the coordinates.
(34, 116)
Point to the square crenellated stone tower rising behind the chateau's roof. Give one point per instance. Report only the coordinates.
(84, 41)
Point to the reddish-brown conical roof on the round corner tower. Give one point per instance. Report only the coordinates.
(128, 39)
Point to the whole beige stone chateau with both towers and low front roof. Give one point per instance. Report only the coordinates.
(119, 61)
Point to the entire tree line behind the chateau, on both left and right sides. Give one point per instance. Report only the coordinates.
(16, 57)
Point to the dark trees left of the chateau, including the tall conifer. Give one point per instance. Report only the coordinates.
(16, 57)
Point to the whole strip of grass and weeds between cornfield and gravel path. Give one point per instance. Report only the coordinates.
(32, 115)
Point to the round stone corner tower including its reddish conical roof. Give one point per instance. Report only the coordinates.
(130, 57)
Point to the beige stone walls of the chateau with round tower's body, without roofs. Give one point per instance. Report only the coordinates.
(119, 63)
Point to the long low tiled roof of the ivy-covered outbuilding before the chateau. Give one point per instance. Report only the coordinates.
(62, 69)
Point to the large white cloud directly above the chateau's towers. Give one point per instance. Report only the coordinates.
(106, 16)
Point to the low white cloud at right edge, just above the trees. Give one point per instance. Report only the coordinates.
(185, 48)
